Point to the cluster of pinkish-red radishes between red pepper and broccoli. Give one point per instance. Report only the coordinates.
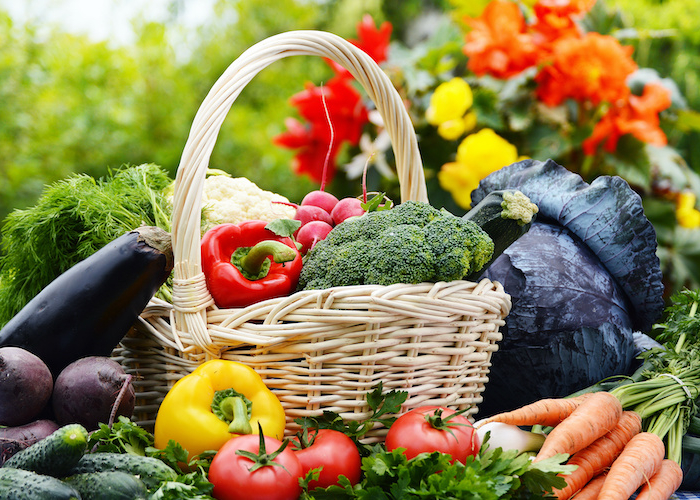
(319, 212)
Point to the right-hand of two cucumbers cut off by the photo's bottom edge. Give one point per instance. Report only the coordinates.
(108, 485)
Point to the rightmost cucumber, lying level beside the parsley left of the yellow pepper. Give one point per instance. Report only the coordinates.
(151, 470)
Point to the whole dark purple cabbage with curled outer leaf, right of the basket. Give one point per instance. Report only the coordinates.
(582, 281)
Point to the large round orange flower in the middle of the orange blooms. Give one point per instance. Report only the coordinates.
(591, 68)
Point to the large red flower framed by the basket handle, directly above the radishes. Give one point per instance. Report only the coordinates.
(335, 114)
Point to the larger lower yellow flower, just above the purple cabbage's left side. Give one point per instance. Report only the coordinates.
(478, 155)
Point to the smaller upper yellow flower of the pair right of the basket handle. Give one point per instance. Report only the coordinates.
(448, 106)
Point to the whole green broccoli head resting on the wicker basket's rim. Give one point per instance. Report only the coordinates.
(411, 243)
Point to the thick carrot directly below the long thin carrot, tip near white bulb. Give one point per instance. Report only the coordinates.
(595, 416)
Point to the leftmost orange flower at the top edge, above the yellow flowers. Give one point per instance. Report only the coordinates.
(499, 43)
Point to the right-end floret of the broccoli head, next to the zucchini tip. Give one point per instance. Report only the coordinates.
(461, 247)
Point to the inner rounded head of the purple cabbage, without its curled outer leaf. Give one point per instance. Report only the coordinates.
(569, 326)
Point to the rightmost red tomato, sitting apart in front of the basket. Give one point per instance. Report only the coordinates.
(429, 429)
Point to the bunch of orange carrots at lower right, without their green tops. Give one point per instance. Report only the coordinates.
(614, 457)
